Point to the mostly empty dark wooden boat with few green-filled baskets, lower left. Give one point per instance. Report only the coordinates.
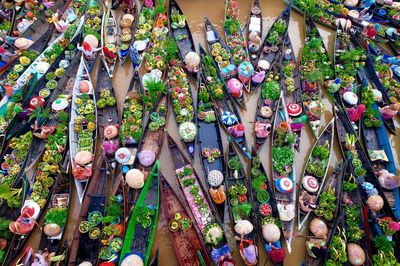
(85, 246)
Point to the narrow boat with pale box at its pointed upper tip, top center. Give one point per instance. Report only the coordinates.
(226, 66)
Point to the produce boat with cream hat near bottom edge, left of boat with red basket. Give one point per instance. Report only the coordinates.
(240, 207)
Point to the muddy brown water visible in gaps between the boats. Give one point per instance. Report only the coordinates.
(195, 10)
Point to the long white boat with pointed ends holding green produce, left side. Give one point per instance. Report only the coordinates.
(82, 129)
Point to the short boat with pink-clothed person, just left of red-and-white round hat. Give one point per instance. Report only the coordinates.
(267, 102)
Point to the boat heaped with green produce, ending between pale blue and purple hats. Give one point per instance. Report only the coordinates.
(129, 138)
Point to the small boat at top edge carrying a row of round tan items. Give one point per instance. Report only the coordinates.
(126, 32)
